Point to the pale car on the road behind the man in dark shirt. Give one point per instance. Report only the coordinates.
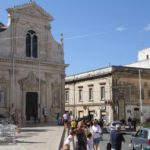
(112, 126)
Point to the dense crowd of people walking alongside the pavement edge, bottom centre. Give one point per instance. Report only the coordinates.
(88, 135)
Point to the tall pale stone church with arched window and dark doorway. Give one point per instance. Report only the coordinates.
(32, 68)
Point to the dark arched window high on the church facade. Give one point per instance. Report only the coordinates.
(31, 44)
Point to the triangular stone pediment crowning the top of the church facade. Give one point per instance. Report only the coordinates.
(31, 9)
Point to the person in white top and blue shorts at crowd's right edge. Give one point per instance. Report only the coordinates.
(96, 132)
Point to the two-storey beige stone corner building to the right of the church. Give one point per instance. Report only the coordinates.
(111, 93)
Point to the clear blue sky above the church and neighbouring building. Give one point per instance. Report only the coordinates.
(96, 32)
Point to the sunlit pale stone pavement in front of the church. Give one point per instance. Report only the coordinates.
(39, 137)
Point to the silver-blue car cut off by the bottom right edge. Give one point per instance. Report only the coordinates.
(141, 140)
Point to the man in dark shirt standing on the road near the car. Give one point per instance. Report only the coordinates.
(116, 138)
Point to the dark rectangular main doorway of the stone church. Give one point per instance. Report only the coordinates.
(31, 105)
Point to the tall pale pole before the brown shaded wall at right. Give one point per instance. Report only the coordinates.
(140, 96)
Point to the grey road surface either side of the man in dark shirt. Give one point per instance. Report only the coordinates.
(125, 146)
